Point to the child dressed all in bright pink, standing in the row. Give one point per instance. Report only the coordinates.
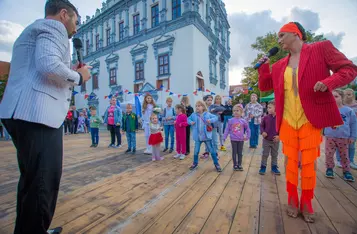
(180, 127)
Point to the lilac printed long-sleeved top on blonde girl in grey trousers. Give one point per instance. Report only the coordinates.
(237, 129)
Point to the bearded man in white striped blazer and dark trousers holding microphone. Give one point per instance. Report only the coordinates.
(33, 108)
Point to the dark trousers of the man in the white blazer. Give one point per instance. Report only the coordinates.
(39, 155)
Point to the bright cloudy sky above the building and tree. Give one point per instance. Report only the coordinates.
(248, 20)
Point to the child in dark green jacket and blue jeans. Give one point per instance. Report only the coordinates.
(130, 126)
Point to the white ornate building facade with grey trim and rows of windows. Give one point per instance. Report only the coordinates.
(143, 45)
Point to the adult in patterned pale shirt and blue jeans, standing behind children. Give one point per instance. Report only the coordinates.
(253, 113)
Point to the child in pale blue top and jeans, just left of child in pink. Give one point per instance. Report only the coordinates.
(168, 119)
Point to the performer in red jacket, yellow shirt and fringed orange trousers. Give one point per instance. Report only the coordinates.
(302, 84)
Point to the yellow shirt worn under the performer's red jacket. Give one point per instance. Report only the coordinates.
(293, 112)
